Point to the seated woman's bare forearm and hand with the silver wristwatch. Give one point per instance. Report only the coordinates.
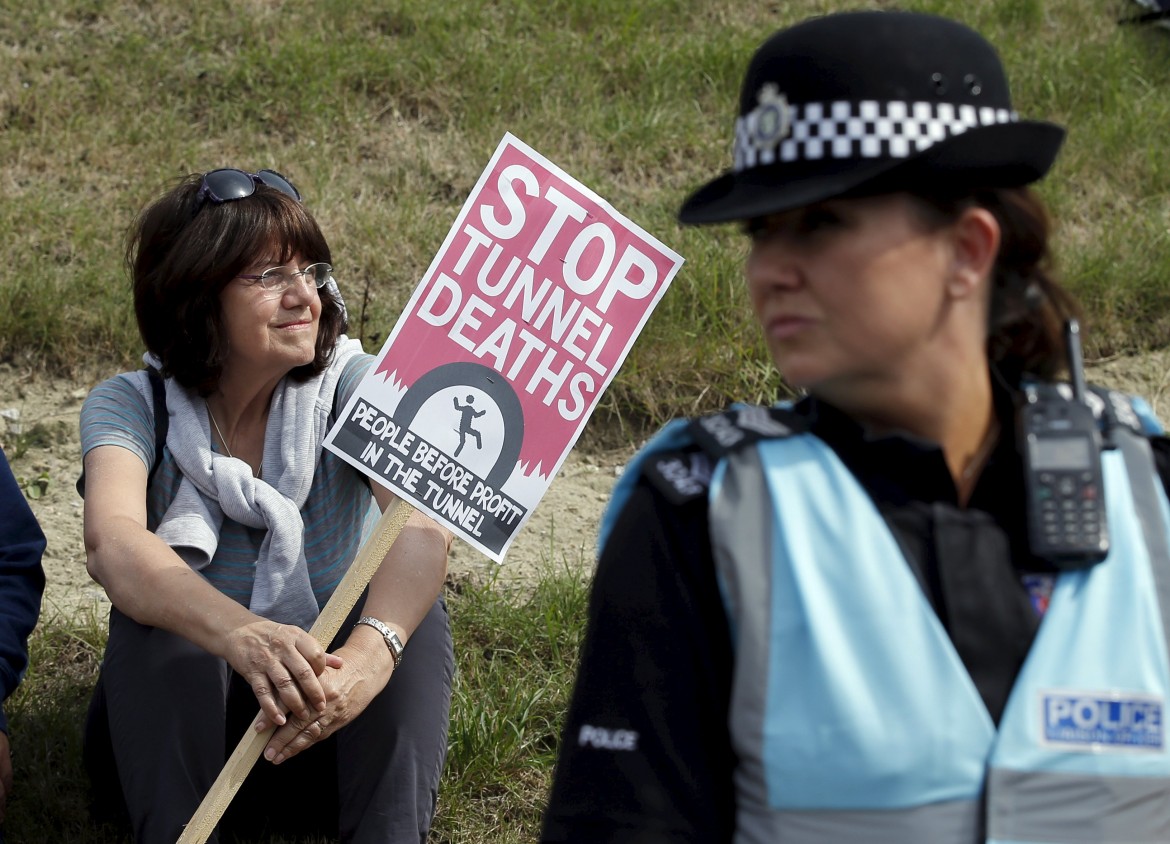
(402, 593)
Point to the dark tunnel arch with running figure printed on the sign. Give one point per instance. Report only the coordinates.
(472, 388)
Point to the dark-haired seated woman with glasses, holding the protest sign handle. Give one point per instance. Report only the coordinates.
(219, 547)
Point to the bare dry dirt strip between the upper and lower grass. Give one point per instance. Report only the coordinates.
(44, 445)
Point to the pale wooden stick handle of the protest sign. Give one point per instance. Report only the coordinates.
(338, 609)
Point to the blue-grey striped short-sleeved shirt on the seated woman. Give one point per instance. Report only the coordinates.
(120, 413)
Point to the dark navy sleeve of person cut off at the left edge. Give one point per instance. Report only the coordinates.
(22, 582)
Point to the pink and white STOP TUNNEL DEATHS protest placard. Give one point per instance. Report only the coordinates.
(521, 322)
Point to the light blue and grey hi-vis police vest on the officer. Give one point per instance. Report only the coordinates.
(852, 716)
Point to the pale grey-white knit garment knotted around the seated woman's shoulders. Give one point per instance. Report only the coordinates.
(216, 486)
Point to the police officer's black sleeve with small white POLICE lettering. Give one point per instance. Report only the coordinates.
(646, 751)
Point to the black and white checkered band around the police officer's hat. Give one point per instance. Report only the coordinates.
(811, 132)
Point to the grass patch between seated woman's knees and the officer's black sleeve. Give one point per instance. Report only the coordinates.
(515, 667)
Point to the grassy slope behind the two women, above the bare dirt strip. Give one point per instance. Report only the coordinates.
(386, 113)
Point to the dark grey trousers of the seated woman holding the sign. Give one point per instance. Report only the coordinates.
(167, 715)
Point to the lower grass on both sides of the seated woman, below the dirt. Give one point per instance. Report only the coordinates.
(515, 656)
